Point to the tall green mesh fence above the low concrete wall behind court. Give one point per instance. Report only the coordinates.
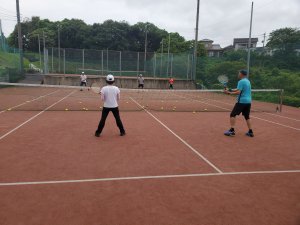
(125, 63)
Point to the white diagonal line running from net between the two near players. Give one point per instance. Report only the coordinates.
(183, 141)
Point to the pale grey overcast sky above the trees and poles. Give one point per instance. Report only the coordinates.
(220, 20)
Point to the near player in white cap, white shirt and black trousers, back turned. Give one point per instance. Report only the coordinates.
(110, 95)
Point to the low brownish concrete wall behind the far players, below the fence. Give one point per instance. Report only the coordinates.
(121, 82)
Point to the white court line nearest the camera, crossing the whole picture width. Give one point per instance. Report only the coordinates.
(149, 177)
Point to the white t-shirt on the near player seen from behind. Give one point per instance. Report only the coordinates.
(110, 95)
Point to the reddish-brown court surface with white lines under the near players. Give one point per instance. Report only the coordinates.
(172, 168)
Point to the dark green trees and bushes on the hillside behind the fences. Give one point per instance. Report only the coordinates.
(276, 66)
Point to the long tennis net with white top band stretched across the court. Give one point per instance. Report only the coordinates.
(36, 97)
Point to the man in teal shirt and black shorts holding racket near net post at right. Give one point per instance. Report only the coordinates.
(243, 104)
